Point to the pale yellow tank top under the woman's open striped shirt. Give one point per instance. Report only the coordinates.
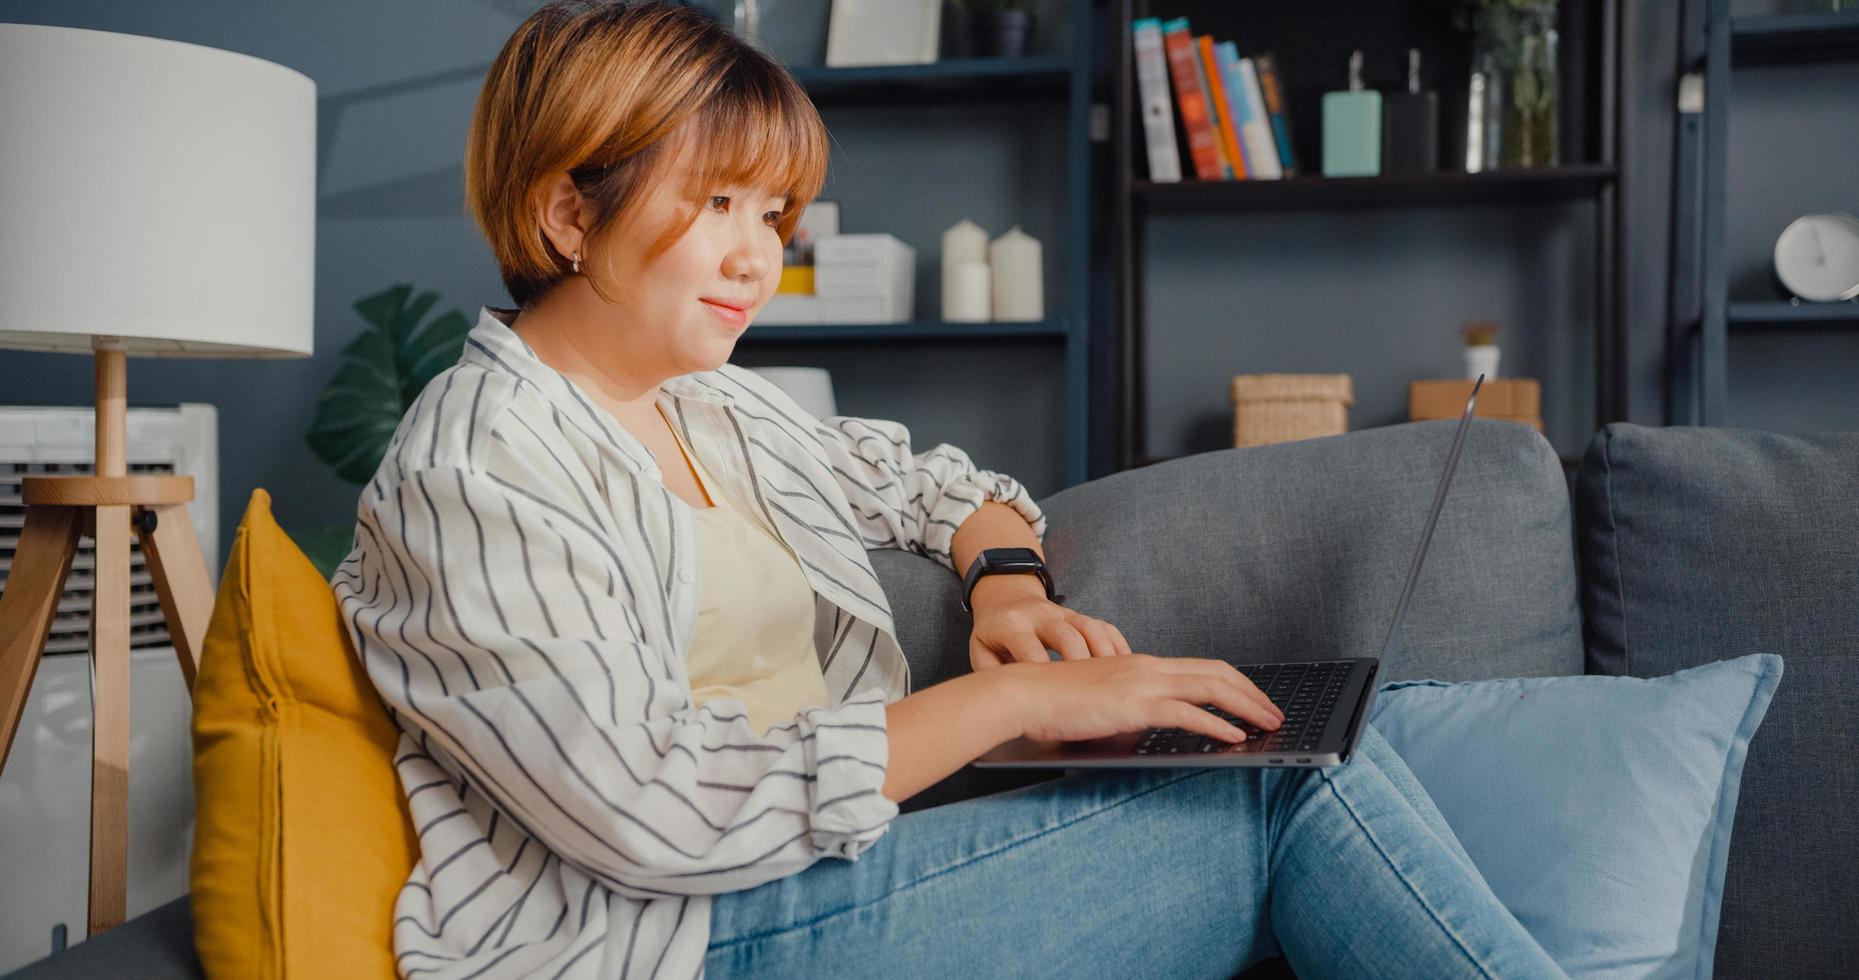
(756, 616)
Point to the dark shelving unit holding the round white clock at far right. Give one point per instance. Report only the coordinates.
(1702, 310)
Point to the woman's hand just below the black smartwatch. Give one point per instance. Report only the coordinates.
(1016, 622)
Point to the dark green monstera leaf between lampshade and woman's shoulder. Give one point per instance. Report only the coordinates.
(384, 371)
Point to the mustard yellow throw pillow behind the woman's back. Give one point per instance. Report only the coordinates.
(302, 836)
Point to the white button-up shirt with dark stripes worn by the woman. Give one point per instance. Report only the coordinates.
(523, 592)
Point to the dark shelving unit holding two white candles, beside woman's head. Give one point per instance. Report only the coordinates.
(1062, 79)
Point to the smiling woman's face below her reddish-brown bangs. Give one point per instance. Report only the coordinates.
(691, 304)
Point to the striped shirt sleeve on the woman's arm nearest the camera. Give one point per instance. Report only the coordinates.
(503, 629)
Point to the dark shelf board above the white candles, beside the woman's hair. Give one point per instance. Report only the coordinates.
(955, 81)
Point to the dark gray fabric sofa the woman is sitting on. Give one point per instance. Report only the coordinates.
(1683, 548)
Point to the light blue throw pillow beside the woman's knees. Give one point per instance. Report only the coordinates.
(1598, 808)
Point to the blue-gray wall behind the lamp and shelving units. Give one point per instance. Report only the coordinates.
(1332, 291)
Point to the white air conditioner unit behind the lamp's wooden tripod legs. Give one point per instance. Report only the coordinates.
(46, 789)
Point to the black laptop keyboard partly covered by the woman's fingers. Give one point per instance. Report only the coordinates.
(1306, 693)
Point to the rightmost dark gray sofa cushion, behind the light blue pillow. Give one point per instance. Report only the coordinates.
(1702, 544)
